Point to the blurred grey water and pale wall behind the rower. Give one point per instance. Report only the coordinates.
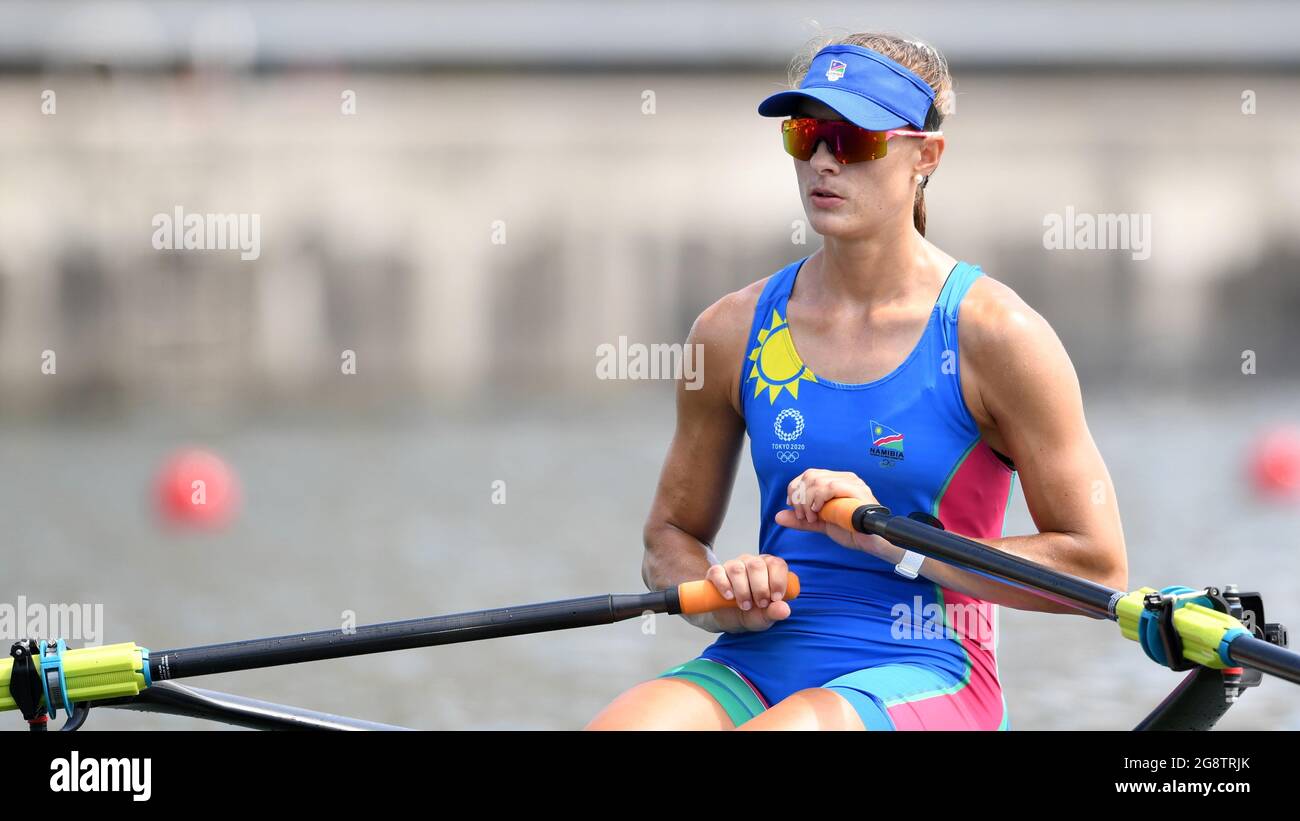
(467, 199)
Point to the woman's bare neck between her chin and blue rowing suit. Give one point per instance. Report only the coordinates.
(894, 267)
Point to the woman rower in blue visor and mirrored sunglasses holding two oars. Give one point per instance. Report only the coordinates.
(853, 377)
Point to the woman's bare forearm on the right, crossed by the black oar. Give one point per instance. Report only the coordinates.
(1065, 553)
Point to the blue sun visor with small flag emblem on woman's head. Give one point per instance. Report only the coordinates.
(868, 89)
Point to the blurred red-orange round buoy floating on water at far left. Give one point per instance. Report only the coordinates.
(196, 488)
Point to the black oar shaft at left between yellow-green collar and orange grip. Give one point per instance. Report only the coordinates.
(281, 650)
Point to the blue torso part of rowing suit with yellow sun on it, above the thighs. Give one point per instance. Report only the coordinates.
(911, 437)
